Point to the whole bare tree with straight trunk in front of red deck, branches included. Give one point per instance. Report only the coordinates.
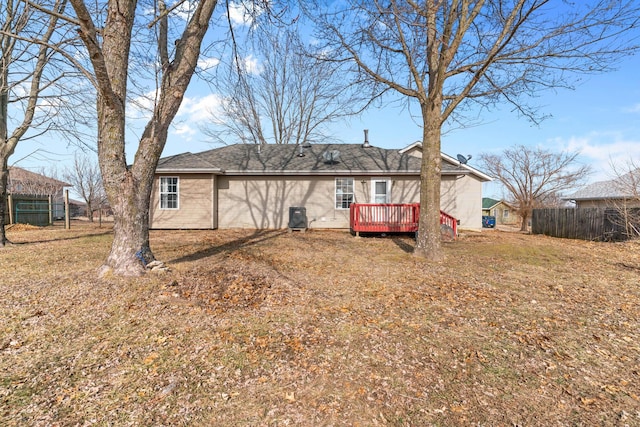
(452, 57)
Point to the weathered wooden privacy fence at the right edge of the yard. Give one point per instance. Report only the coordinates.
(586, 223)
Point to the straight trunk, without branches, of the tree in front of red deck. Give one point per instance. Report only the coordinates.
(428, 243)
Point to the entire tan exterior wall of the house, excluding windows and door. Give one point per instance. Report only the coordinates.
(262, 202)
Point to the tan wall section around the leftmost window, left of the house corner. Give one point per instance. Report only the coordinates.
(196, 203)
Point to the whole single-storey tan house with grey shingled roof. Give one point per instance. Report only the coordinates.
(254, 186)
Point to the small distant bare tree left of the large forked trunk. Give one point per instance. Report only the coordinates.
(85, 177)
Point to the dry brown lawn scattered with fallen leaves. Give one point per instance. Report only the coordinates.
(319, 329)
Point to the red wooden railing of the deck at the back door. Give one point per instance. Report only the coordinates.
(391, 218)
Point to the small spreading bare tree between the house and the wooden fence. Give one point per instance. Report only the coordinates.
(534, 178)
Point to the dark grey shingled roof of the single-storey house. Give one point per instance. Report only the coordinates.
(252, 159)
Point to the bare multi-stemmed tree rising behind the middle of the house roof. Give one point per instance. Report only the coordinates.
(277, 93)
